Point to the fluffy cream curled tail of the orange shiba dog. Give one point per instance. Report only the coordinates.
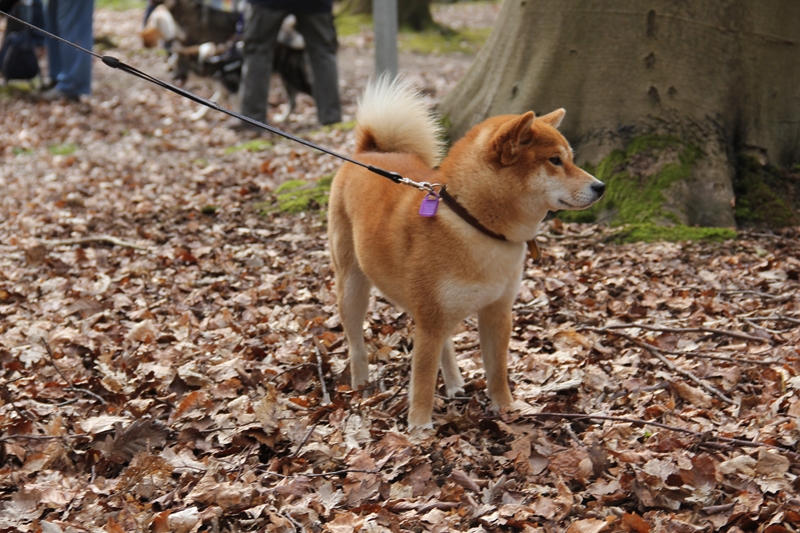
(392, 117)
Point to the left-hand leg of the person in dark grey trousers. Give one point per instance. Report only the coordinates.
(260, 33)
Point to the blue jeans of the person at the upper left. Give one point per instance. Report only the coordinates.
(70, 68)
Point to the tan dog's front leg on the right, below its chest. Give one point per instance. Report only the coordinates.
(494, 328)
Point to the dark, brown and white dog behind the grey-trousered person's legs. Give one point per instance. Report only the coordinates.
(203, 40)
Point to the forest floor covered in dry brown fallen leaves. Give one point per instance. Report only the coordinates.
(172, 358)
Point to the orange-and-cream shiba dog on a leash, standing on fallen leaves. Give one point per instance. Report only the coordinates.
(502, 177)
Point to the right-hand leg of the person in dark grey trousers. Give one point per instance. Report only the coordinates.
(320, 35)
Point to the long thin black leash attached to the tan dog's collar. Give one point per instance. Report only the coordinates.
(113, 62)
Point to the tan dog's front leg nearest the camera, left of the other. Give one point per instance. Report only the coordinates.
(425, 359)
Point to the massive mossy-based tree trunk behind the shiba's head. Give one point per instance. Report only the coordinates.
(717, 78)
